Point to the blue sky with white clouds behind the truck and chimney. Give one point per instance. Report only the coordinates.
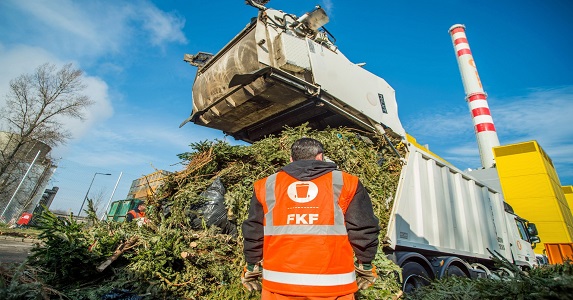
(132, 55)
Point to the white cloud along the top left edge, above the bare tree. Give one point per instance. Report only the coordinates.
(94, 28)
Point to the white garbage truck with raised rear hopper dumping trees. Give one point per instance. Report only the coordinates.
(283, 69)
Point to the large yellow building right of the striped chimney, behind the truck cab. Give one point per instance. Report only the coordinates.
(531, 186)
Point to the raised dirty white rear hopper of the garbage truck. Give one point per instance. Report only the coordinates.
(283, 70)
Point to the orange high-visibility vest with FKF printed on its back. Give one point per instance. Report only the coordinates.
(306, 249)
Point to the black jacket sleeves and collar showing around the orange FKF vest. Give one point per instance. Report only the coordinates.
(361, 223)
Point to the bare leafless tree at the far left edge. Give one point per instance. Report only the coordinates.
(33, 111)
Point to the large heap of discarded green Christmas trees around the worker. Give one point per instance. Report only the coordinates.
(192, 246)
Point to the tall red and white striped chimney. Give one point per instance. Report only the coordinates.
(475, 96)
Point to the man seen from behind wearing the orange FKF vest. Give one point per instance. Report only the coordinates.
(306, 224)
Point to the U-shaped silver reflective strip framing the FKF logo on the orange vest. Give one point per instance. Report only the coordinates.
(338, 228)
